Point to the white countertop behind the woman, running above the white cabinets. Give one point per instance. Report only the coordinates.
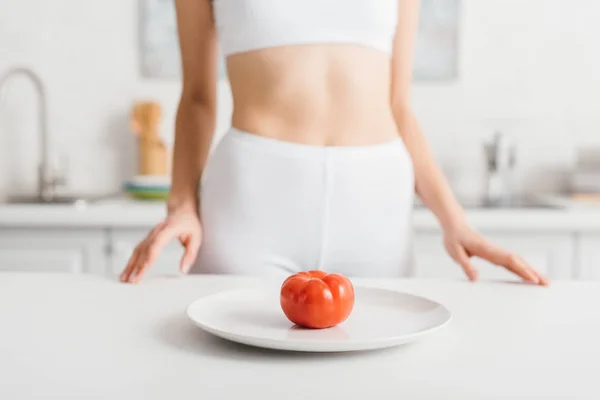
(124, 213)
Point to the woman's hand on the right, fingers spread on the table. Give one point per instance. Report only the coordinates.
(464, 243)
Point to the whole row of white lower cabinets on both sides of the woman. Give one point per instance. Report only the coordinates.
(559, 255)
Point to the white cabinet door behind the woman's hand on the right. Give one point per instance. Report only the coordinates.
(550, 253)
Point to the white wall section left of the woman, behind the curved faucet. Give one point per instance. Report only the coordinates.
(87, 54)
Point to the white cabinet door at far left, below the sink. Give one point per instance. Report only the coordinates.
(53, 250)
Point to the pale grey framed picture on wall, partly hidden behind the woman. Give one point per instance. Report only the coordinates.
(436, 52)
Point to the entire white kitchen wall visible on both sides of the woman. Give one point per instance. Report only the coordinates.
(528, 67)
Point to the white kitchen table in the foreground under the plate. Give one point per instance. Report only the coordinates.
(65, 336)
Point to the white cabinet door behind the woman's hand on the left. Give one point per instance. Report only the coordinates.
(123, 243)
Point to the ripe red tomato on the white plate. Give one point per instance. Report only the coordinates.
(317, 300)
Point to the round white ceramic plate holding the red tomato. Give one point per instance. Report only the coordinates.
(380, 318)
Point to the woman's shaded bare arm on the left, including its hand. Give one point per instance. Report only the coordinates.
(194, 129)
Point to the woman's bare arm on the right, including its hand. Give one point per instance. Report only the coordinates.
(460, 240)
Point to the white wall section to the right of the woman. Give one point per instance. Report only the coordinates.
(530, 68)
